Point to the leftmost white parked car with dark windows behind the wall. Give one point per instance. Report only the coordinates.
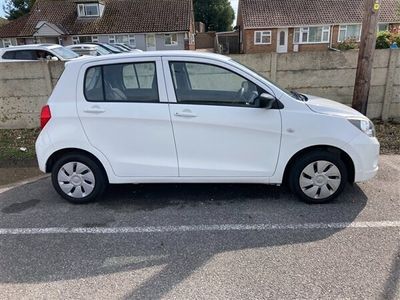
(37, 52)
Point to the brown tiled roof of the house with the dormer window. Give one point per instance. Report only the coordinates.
(120, 16)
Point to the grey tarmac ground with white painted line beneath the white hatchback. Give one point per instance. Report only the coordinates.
(202, 242)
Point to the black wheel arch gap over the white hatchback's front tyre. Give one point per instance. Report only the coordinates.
(345, 157)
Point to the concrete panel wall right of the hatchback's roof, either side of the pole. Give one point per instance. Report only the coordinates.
(332, 75)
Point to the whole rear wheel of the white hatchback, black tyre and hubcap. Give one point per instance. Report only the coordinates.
(78, 178)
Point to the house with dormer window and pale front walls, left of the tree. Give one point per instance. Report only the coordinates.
(143, 24)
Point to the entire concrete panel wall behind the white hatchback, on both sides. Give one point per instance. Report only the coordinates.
(26, 86)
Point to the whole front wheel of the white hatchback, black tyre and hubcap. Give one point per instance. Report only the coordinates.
(318, 177)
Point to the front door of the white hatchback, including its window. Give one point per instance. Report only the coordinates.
(219, 127)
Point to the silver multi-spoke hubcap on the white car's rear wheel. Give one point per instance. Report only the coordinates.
(76, 179)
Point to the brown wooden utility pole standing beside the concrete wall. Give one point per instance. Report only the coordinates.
(366, 55)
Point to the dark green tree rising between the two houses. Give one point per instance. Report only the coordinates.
(217, 15)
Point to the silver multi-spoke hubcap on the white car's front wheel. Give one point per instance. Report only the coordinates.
(320, 179)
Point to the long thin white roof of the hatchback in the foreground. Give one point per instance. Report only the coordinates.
(180, 53)
